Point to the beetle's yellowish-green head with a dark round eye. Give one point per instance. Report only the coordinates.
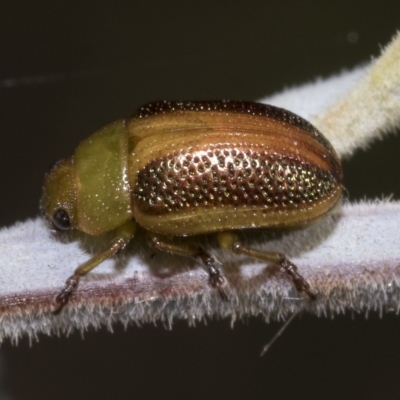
(58, 202)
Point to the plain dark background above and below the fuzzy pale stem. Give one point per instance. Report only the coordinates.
(65, 71)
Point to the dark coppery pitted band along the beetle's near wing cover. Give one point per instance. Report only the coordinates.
(215, 178)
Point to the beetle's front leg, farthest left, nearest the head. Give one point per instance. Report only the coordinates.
(122, 237)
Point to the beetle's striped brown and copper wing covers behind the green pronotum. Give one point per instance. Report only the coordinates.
(200, 169)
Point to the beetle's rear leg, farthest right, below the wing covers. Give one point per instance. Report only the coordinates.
(230, 241)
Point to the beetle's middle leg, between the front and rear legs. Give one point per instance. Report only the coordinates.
(216, 280)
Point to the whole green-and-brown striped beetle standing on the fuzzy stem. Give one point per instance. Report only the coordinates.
(192, 168)
